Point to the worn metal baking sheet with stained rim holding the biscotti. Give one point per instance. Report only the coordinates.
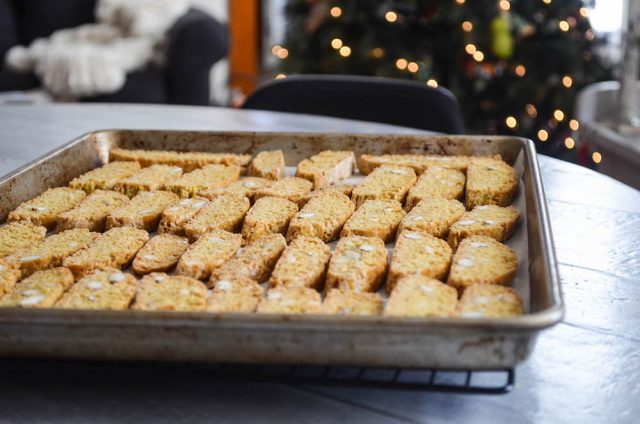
(293, 339)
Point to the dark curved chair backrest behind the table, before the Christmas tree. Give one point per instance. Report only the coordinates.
(390, 101)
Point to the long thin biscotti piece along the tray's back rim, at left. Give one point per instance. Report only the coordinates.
(188, 161)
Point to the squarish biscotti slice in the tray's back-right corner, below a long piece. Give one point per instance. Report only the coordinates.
(490, 182)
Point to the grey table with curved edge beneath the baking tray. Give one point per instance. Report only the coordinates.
(585, 370)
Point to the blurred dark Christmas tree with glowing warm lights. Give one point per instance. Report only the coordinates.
(515, 66)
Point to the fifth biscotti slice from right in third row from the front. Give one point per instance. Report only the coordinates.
(269, 215)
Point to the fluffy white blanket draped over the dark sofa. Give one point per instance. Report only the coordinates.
(94, 59)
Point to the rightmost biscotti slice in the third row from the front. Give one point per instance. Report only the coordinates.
(487, 220)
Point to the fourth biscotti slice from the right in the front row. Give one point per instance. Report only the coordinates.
(290, 300)
